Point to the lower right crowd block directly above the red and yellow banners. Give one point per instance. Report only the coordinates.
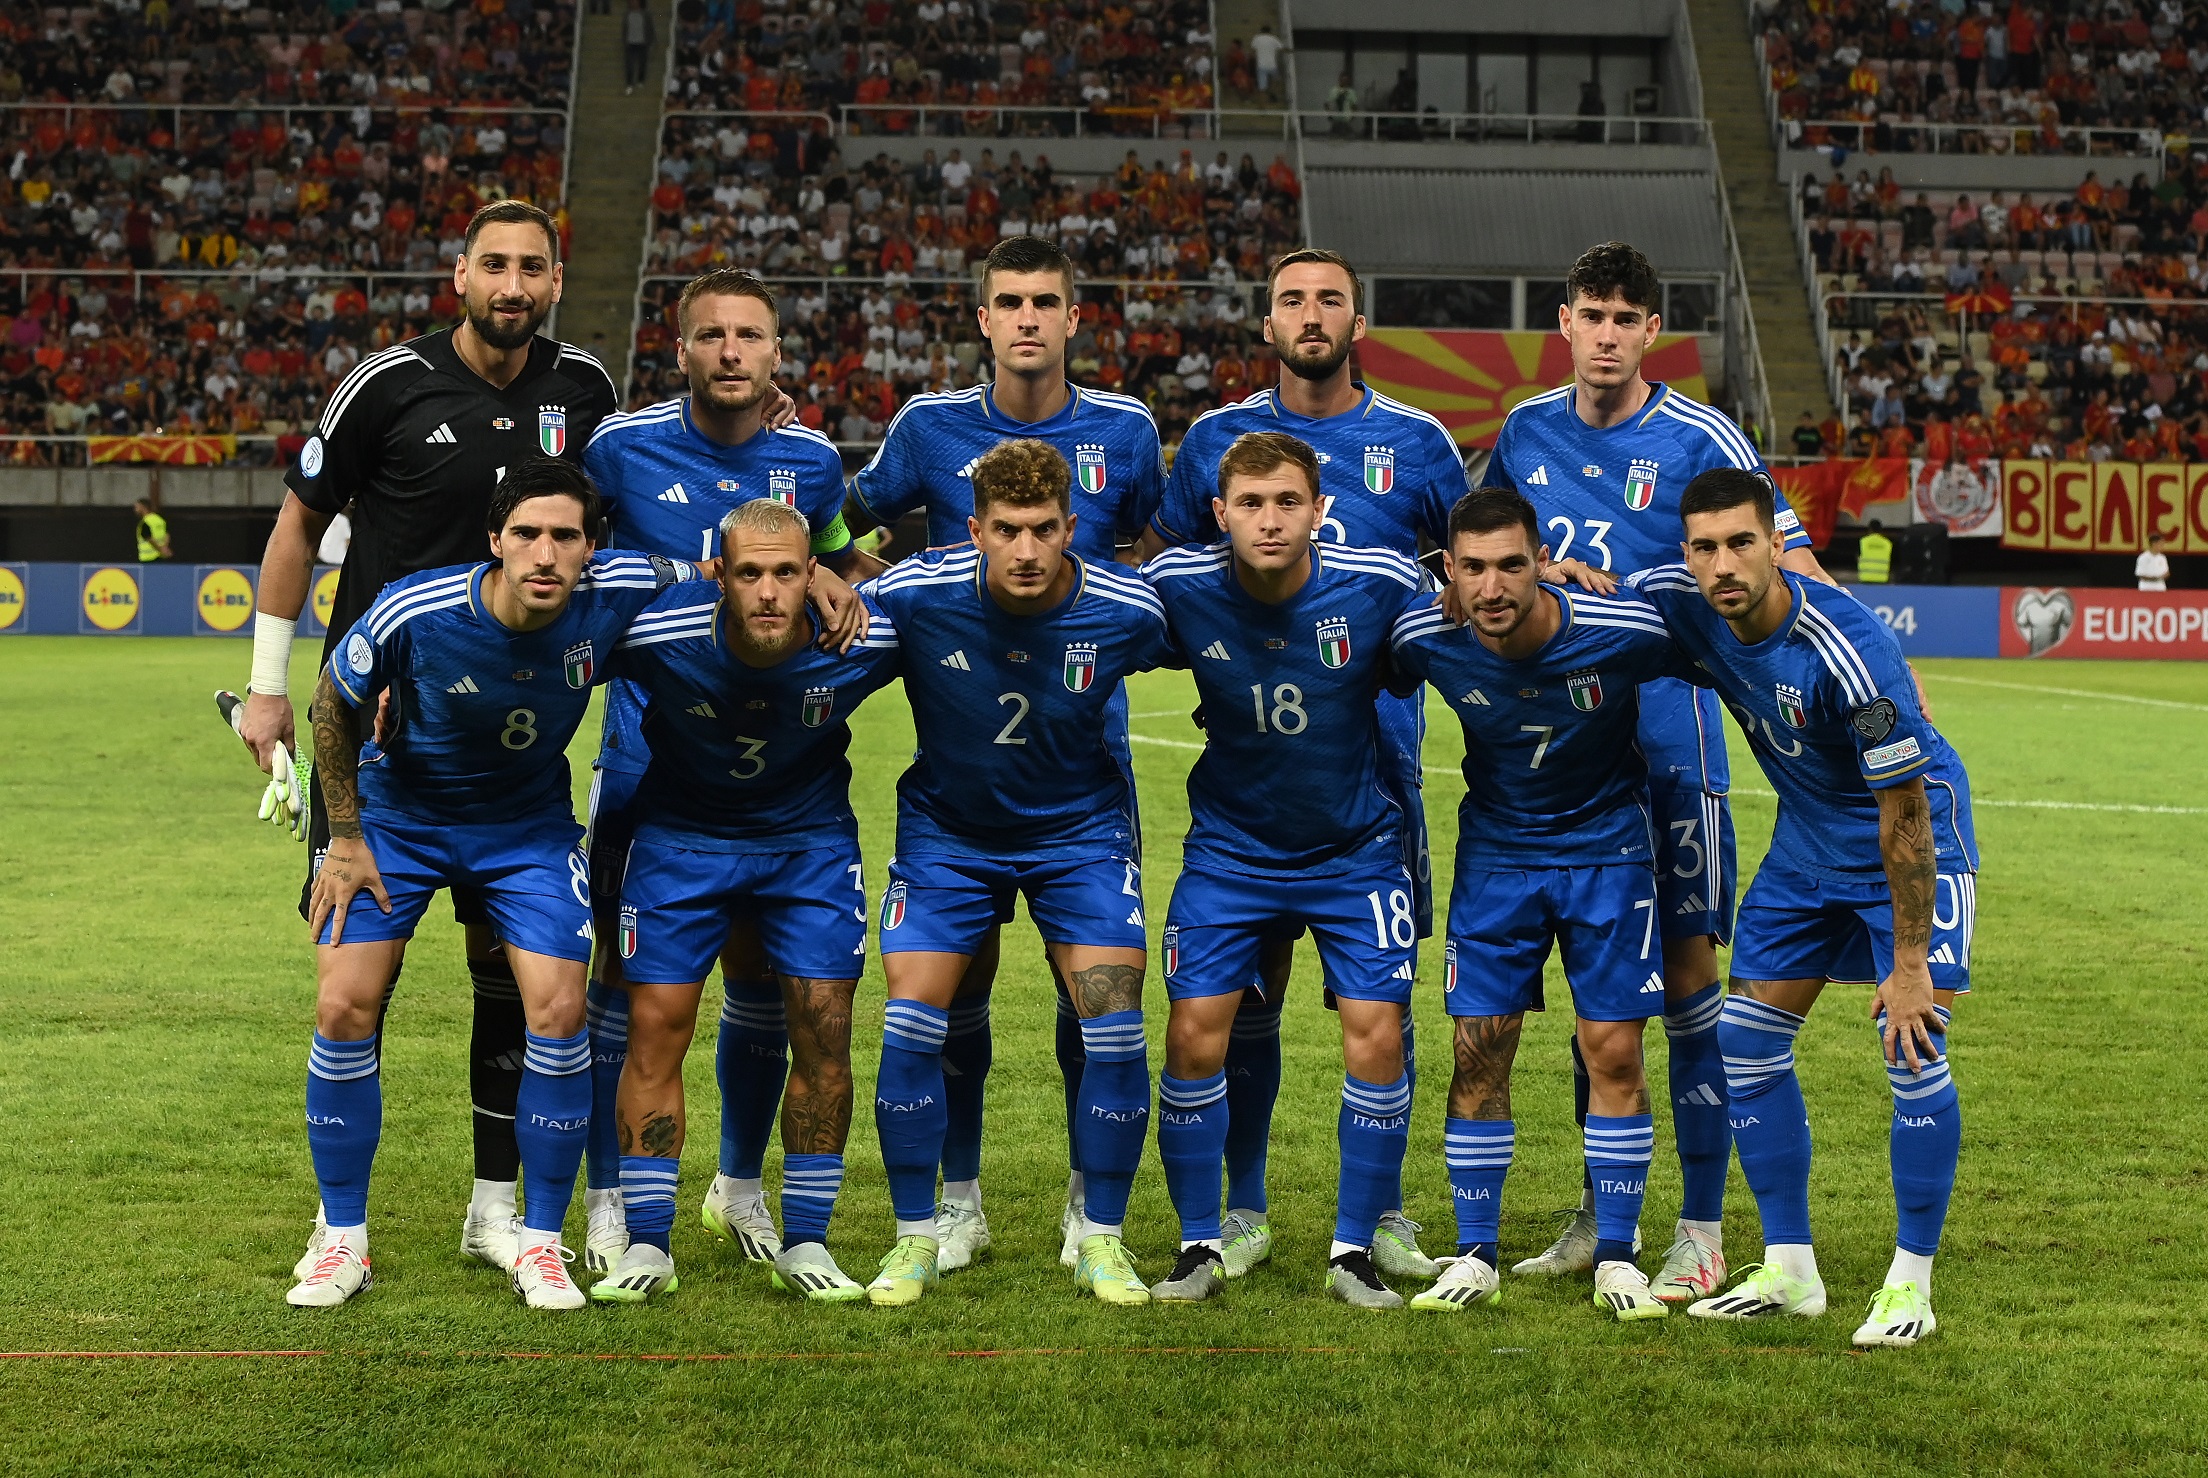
(2072, 326)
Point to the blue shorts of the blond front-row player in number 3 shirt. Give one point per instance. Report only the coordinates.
(679, 905)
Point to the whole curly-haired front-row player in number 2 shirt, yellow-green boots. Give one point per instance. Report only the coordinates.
(1012, 653)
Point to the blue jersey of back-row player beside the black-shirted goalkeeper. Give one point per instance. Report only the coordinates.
(666, 489)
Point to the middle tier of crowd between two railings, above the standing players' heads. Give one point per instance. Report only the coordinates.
(785, 204)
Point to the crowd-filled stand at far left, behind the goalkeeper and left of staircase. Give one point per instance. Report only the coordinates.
(189, 266)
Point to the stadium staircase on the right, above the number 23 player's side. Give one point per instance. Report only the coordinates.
(1734, 103)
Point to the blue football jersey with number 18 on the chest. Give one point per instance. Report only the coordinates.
(1291, 779)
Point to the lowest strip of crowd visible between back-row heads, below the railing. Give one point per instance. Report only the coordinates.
(856, 352)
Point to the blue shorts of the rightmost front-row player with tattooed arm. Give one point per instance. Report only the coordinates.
(1796, 927)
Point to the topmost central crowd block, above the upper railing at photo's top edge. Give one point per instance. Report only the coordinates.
(1092, 65)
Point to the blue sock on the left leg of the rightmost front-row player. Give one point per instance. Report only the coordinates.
(1768, 1115)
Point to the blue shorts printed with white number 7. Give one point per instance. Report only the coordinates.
(1604, 920)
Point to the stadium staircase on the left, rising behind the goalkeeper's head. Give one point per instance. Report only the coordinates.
(615, 142)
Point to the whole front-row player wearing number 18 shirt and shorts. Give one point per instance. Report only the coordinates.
(1293, 827)
